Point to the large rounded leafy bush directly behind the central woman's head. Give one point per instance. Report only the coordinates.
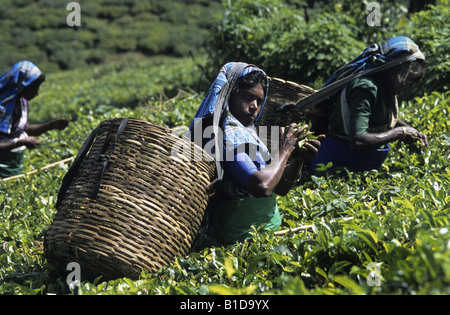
(277, 38)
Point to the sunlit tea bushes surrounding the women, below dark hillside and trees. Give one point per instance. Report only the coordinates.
(378, 232)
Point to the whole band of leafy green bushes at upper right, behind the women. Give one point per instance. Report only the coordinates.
(307, 46)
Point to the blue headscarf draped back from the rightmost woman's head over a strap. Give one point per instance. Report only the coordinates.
(379, 54)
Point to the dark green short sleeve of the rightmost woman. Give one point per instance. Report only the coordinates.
(361, 98)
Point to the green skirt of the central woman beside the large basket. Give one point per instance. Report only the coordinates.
(232, 220)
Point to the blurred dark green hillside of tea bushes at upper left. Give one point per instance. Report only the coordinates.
(37, 30)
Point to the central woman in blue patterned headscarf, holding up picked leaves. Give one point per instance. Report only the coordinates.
(249, 173)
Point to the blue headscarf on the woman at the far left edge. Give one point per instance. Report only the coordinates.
(12, 83)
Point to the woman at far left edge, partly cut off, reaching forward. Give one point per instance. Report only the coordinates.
(19, 85)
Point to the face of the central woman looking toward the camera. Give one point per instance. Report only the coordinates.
(246, 104)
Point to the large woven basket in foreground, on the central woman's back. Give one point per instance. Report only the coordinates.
(144, 212)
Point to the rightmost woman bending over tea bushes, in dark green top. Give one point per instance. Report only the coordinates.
(365, 117)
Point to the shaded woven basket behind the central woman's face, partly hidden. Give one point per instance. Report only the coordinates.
(280, 108)
